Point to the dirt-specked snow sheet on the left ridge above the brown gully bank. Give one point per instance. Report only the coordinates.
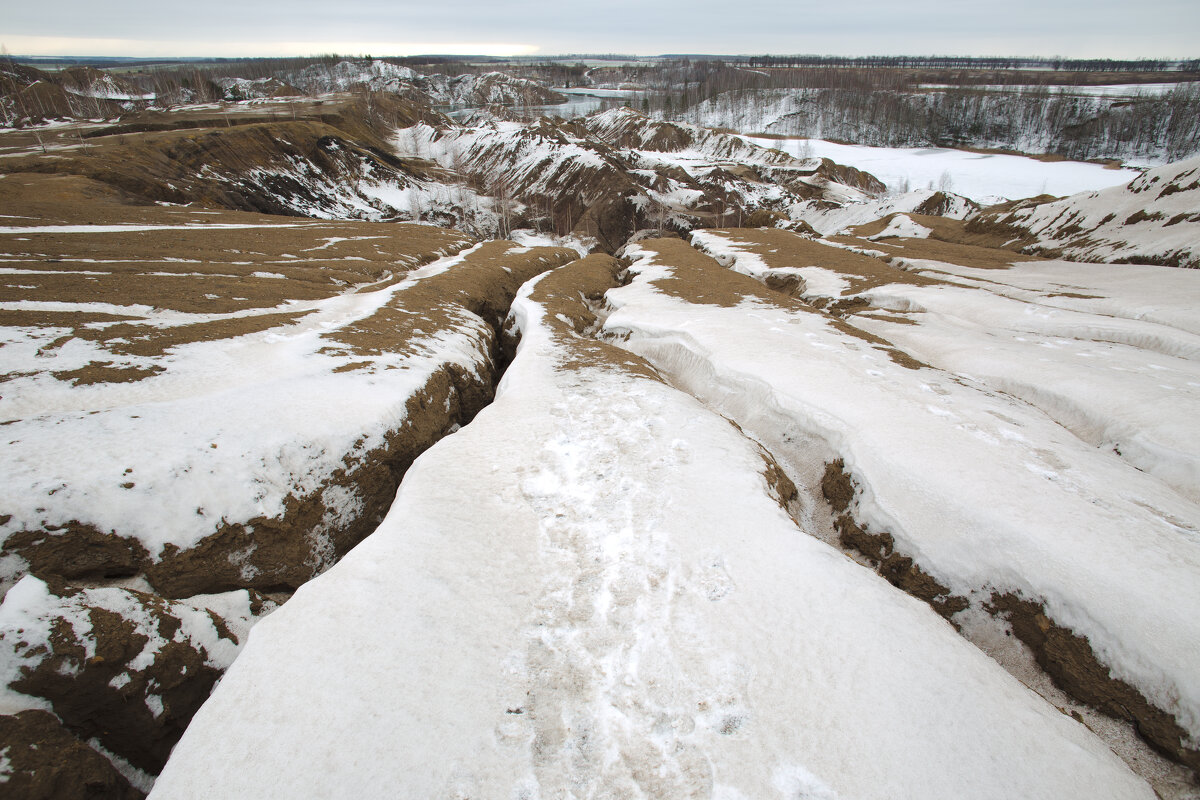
(195, 434)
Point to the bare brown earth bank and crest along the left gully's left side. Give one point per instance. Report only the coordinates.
(281, 552)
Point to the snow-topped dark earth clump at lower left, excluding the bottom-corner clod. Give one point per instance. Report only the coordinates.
(122, 666)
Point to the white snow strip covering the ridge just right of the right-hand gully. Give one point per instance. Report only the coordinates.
(1081, 528)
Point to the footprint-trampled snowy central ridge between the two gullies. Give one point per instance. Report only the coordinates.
(591, 592)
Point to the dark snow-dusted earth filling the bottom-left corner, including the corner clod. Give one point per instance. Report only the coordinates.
(119, 667)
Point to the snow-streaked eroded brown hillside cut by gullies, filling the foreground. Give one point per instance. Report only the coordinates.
(790, 488)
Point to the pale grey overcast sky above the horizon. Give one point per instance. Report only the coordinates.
(137, 28)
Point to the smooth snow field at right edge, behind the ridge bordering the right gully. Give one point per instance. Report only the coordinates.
(1109, 352)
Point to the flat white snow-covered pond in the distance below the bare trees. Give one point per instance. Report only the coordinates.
(982, 177)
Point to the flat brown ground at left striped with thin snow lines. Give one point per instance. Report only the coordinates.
(199, 270)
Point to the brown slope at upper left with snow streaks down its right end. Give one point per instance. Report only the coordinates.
(326, 160)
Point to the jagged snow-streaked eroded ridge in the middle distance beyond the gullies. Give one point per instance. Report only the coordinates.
(601, 178)
